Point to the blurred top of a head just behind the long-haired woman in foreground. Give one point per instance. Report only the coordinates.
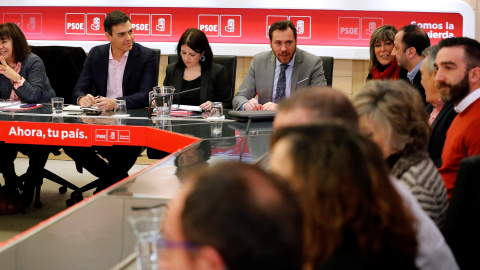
(316, 104)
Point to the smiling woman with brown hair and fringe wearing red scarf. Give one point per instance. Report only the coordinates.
(383, 65)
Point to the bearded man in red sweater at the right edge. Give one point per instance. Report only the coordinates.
(458, 79)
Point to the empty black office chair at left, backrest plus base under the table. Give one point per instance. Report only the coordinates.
(63, 66)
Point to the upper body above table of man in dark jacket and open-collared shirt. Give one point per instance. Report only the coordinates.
(132, 64)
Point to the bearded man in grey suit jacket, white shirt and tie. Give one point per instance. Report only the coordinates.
(276, 74)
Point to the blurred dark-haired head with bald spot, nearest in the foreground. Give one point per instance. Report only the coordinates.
(245, 214)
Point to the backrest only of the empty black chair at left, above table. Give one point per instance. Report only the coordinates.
(63, 65)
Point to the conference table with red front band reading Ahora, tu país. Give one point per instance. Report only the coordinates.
(94, 233)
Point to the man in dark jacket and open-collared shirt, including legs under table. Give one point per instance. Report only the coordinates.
(123, 70)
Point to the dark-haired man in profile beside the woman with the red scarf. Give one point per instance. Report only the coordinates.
(410, 42)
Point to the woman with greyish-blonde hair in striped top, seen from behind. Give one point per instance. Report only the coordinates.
(392, 114)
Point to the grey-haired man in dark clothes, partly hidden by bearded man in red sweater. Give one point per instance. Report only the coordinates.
(441, 113)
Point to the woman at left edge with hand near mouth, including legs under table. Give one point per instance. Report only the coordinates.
(22, 78)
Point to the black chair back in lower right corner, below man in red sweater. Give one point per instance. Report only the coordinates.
(462, 224)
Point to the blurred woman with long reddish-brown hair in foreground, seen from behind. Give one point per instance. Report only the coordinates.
(353, 216)
